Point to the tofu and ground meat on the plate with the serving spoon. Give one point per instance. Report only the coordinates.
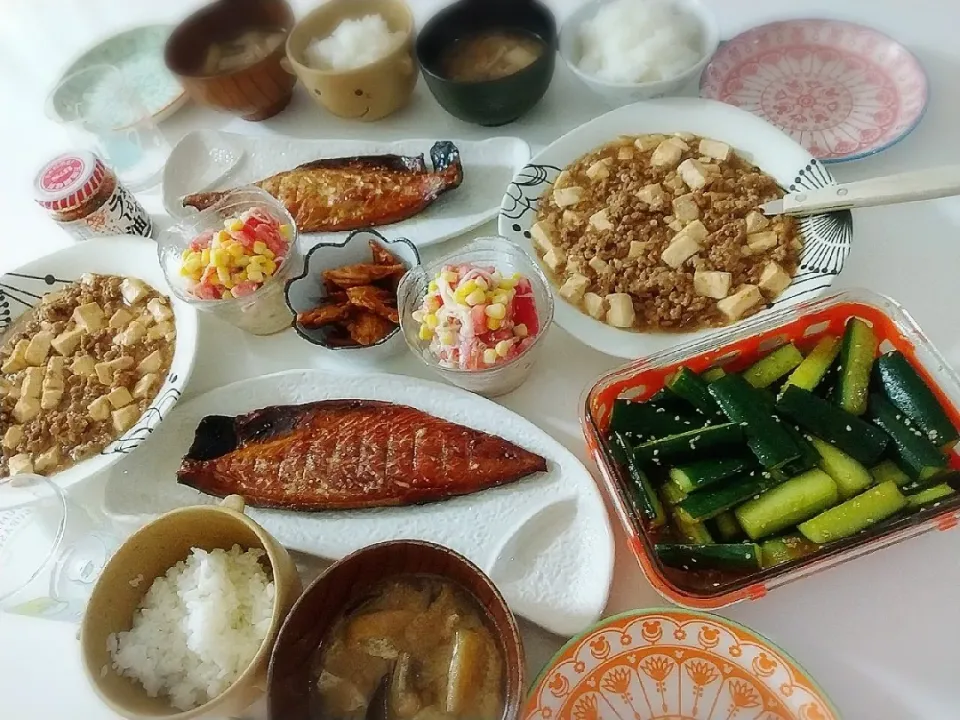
(665, 233)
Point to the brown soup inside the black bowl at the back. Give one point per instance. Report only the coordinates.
(490, 55)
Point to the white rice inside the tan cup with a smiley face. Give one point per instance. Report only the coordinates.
(354, 43)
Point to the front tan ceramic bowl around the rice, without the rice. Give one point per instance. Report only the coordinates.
(147, 555)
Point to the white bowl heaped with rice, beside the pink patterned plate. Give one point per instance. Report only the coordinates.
(631, 50)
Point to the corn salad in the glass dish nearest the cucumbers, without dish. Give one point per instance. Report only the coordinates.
(474, 317)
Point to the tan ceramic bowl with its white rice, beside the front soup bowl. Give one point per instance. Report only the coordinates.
(182, 621)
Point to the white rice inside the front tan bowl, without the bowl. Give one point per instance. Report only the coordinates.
(198, 627)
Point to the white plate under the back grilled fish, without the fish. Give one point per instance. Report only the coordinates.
(487, 167)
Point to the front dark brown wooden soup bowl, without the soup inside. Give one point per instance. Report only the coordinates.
(292, 670)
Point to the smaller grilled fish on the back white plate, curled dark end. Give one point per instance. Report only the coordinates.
(357, 192)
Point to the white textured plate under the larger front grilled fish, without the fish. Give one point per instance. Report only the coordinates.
(545, 540)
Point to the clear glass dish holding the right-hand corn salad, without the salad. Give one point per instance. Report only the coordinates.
(507, 258)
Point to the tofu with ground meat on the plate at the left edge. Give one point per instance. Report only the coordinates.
(79, 369)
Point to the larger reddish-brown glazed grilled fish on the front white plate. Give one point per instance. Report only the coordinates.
(345, 454)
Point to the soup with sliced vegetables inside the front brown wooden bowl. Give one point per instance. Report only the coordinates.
(419, 644)
